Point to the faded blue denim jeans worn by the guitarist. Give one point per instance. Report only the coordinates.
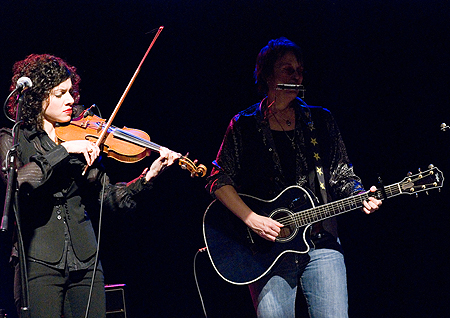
(323, 283)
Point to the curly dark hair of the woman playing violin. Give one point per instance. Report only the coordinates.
(46, 72)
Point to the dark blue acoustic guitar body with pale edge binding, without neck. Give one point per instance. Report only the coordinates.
(239, 255)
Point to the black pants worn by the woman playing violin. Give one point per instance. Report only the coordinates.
(59, 293)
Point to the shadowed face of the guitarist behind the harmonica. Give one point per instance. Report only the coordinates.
(287, 70)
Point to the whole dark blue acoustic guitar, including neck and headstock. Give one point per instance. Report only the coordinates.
(240, 256)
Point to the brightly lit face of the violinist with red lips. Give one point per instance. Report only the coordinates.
(58, 106)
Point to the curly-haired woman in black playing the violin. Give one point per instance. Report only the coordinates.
(54, 196)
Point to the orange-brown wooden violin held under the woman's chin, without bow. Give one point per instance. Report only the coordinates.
(123, 144)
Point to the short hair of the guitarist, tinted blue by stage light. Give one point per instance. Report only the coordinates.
(267, 57)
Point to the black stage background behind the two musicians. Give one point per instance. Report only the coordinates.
(381, 67)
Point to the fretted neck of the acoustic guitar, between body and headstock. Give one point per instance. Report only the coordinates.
(329, 210)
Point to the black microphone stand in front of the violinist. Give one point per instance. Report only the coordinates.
(11, 193)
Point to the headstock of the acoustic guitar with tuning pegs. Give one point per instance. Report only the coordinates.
(432, 178)
